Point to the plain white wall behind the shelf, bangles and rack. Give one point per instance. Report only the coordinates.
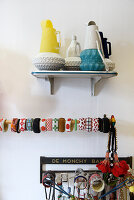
(22, 95)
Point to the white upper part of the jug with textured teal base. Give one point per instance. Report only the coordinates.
(92, 35)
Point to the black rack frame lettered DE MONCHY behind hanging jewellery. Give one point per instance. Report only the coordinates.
(76, 161)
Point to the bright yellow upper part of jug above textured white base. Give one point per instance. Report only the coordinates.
(49, 38)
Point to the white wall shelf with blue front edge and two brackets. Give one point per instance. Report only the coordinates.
(94, 76)
